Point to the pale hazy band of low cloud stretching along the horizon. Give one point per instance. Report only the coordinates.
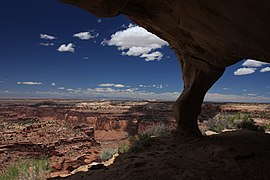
(129, 93)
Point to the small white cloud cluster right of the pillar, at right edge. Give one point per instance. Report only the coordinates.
(250, 67)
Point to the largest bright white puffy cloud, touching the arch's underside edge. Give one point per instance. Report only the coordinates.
(137, 41)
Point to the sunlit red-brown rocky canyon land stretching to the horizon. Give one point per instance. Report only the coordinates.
(73, 133)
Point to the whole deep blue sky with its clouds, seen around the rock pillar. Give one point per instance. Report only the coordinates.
(53, 50)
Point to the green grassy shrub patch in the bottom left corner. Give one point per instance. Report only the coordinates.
(27, 169)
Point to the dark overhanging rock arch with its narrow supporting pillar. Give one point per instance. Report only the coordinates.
(207, 36)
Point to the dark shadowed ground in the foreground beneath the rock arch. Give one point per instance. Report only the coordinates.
(232, 155)
